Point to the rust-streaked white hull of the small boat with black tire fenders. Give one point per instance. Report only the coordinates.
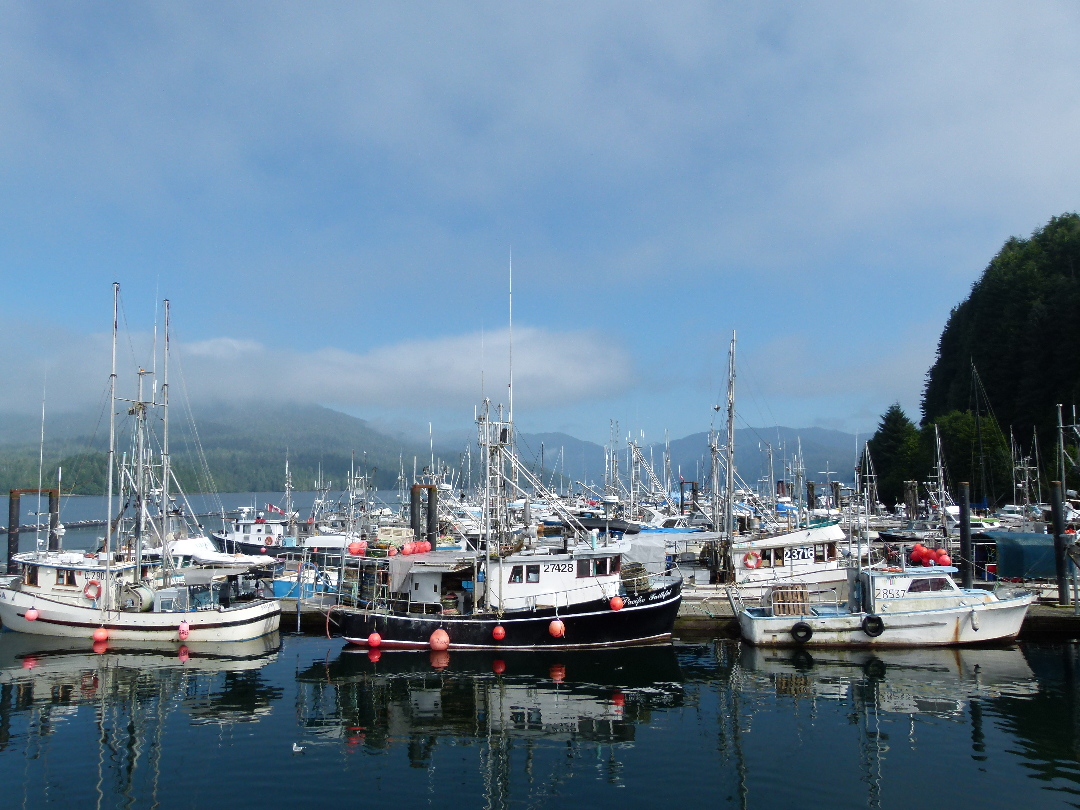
(977, 624)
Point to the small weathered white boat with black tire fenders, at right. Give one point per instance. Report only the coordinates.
(886, 607)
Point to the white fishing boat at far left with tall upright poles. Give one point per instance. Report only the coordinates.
(134, 592)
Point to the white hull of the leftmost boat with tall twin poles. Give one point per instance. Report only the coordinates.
(238, 624)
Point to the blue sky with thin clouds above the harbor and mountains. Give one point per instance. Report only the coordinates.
(335, 197)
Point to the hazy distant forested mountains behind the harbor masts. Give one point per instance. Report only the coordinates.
(246, 449)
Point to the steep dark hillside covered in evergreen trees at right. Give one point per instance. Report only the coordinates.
(1008, 356)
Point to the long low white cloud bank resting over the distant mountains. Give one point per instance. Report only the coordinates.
(551, 370)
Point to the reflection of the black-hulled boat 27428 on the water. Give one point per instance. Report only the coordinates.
(374, 698)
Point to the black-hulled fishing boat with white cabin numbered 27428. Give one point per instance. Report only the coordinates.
(517, 591)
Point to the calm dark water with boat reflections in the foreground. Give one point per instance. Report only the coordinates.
(695, 725)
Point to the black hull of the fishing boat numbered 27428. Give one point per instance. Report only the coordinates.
(646, 618)
